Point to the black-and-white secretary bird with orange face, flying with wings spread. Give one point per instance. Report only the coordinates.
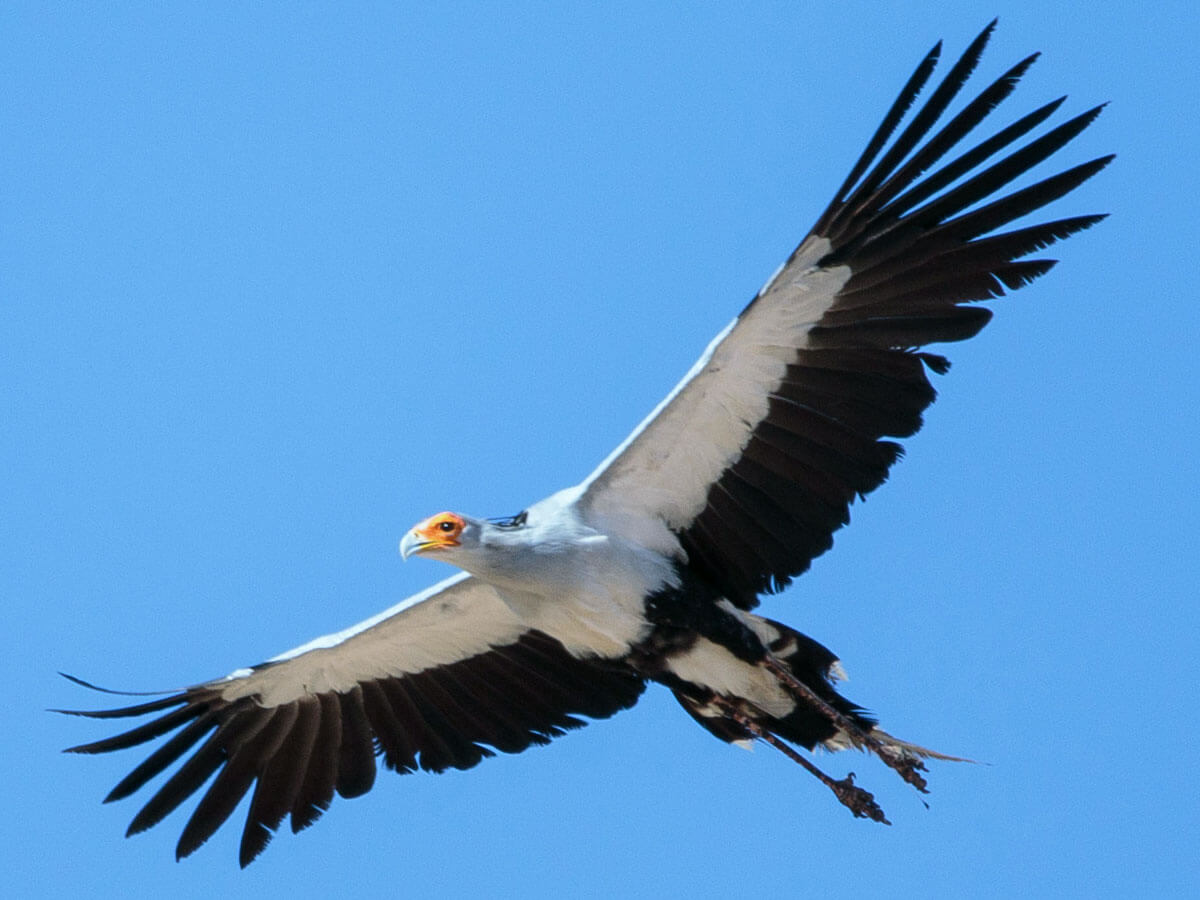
(651, 568)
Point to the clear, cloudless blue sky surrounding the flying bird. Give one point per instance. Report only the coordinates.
(280, 281)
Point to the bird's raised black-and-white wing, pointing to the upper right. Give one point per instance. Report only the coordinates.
(755, 458)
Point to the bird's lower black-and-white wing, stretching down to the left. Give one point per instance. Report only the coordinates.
(431, 685)
